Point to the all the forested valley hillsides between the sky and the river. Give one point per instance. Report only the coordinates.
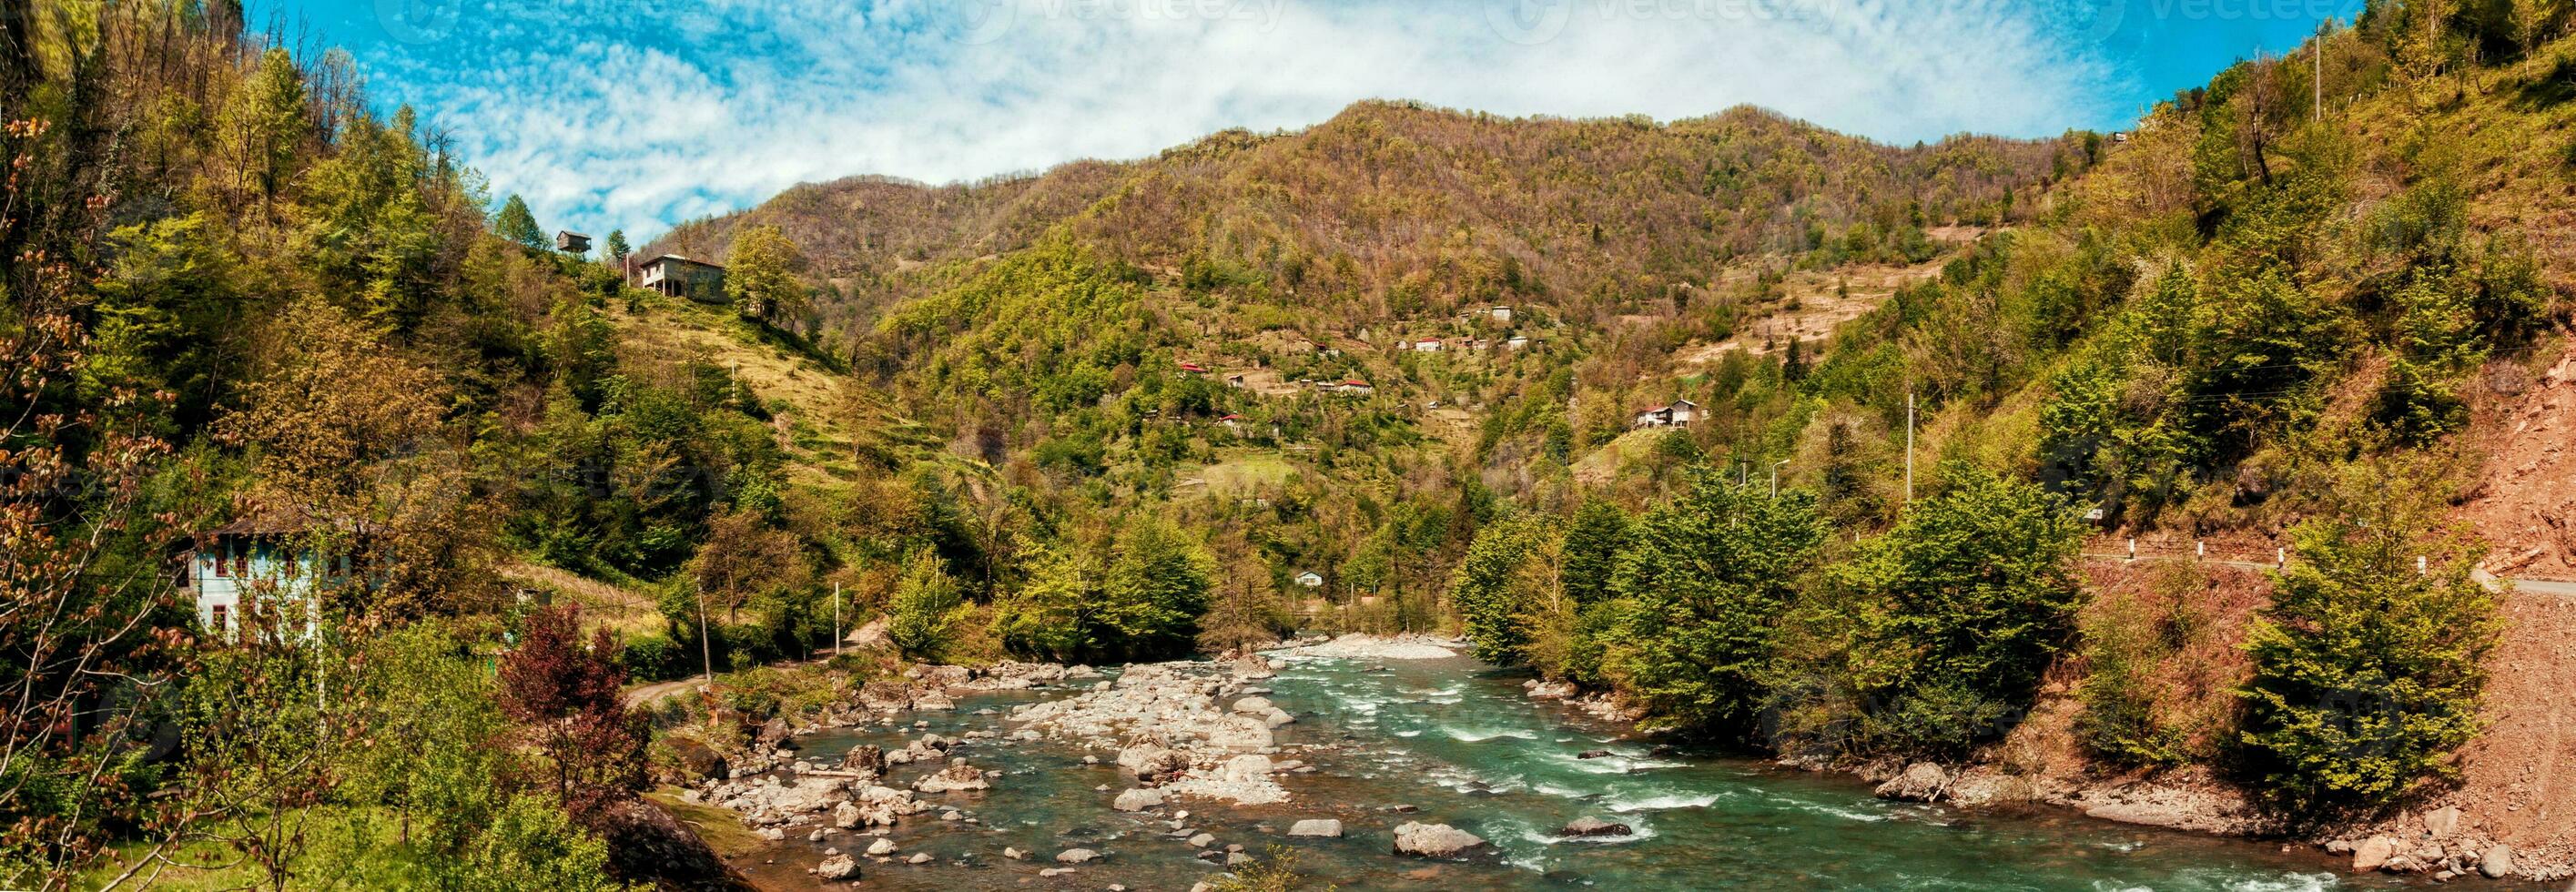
(1379, 375)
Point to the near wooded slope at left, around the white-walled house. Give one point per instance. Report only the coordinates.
(241, 300)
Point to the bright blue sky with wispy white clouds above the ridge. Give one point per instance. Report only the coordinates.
(638, 115)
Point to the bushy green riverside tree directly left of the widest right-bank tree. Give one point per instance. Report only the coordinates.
(1709, 581)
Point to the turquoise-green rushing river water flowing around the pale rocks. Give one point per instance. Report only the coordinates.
(1462, 746)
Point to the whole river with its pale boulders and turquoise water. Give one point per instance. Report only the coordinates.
(1385, 775)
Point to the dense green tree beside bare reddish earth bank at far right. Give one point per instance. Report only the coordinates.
(2366, 672)
